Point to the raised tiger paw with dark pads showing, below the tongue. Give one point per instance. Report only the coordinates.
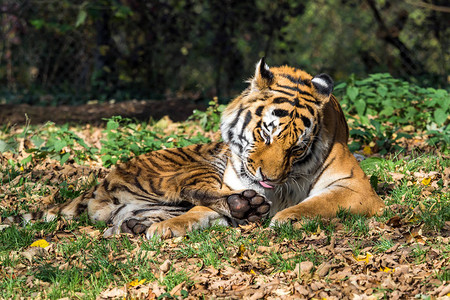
(248, 205)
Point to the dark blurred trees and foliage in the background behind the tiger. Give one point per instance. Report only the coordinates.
(71, 51)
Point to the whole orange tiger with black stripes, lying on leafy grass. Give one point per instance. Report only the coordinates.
(283, 155)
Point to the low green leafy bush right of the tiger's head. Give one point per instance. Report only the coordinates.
(381, 108)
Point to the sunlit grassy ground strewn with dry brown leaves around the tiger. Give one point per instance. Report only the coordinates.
(402, 254)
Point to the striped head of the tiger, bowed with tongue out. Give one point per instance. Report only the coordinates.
(276, 122)
